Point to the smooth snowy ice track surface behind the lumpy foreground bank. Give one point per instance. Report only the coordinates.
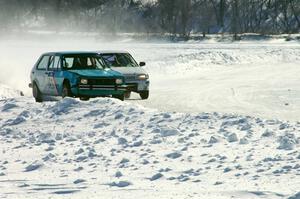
(249, 78)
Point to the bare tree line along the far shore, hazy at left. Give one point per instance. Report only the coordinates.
(174, 17)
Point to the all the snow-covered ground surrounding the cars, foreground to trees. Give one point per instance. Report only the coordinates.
(215, 126)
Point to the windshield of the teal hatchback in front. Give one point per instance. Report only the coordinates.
(82, 62)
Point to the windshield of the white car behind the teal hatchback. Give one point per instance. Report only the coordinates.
(119, 60)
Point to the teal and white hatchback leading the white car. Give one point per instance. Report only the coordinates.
(75, 74)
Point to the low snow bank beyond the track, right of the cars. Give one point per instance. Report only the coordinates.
(194, 57)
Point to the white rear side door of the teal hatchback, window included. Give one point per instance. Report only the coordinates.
(41, 74)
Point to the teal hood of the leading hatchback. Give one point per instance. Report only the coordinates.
(97, 73)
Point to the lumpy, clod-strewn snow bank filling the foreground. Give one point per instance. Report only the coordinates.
(87, 149)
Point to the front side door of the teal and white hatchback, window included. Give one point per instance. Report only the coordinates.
(53, 78)
